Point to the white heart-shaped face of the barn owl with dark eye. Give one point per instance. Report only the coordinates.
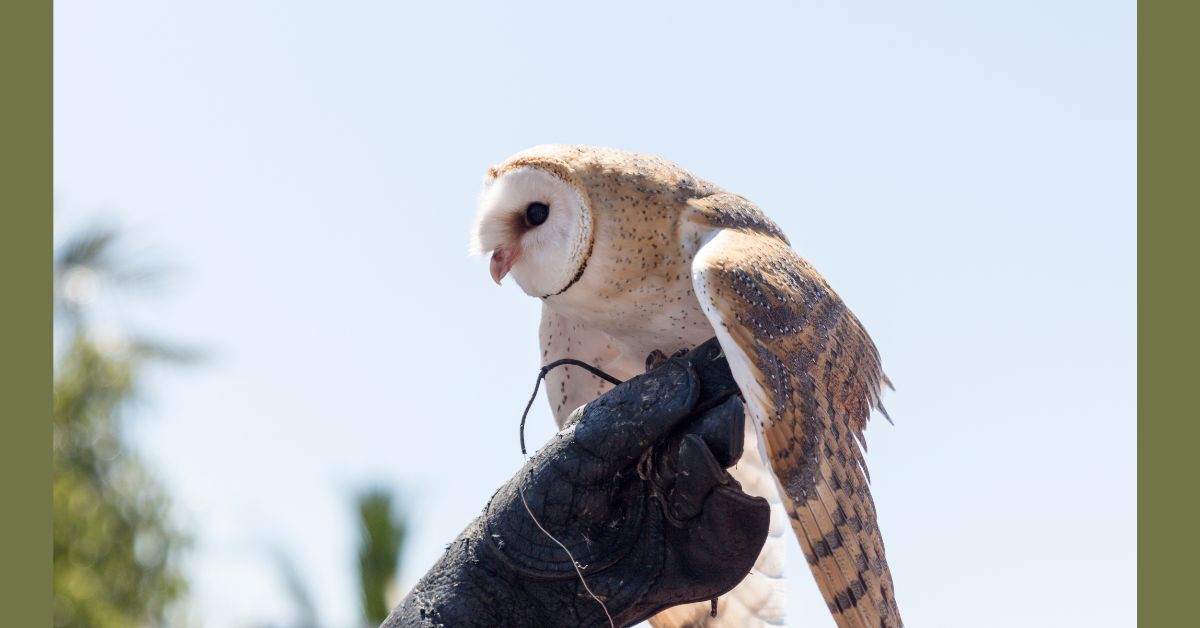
(538, 229)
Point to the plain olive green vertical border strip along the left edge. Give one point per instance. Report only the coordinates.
(26, 300)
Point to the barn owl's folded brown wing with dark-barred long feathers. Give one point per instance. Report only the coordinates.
(811, 376)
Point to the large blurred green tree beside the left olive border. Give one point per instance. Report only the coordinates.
(116, 546)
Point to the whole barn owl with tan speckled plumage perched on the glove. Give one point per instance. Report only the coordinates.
(631, 255)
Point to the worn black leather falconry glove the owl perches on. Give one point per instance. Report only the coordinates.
(635, 488)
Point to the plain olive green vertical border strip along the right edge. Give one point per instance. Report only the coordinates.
(1168, 314)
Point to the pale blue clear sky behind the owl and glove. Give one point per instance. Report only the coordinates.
(964, 175)
